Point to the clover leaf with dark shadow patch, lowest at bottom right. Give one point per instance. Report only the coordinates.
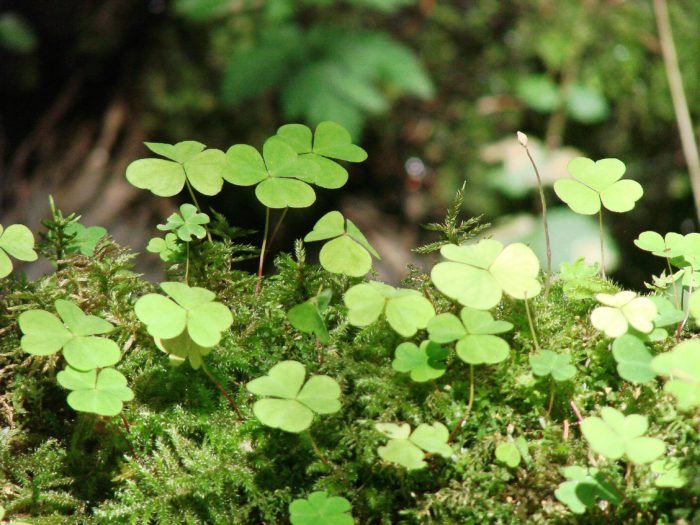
(584, 488)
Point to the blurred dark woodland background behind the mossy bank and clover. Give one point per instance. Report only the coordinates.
(434, 90)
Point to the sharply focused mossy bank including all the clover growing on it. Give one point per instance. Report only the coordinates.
(483, 390)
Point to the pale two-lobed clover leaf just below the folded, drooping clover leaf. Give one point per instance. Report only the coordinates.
(406, 311)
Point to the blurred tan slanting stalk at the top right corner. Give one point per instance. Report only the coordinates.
(680, 104)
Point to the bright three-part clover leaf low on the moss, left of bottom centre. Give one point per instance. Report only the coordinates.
(290, 404)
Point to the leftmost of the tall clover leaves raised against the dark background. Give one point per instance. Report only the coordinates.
(187, 161)
